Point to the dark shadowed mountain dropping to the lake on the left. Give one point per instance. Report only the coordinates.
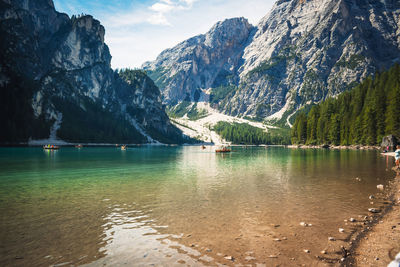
(56, 80)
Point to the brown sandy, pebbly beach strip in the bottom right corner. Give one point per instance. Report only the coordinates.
(378, 242)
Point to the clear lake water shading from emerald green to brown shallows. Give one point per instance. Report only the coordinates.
(180, 205)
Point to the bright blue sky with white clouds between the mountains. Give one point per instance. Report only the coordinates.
(137, 31)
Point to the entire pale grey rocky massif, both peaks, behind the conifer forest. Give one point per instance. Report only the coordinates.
(300, 53)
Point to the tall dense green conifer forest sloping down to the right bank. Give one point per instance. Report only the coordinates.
(361, 116)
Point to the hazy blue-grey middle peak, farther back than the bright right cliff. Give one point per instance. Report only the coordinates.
(204, 61)
